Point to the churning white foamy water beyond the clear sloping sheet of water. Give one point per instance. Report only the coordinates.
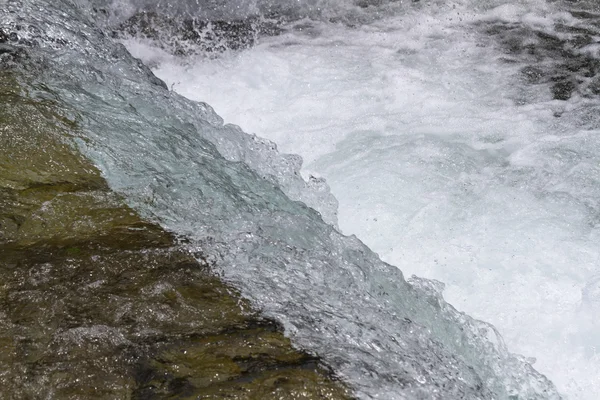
(442, 160)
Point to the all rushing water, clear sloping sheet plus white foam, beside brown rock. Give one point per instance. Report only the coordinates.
(446, 156)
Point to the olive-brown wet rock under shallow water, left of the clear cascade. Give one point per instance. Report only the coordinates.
(97, 303)
